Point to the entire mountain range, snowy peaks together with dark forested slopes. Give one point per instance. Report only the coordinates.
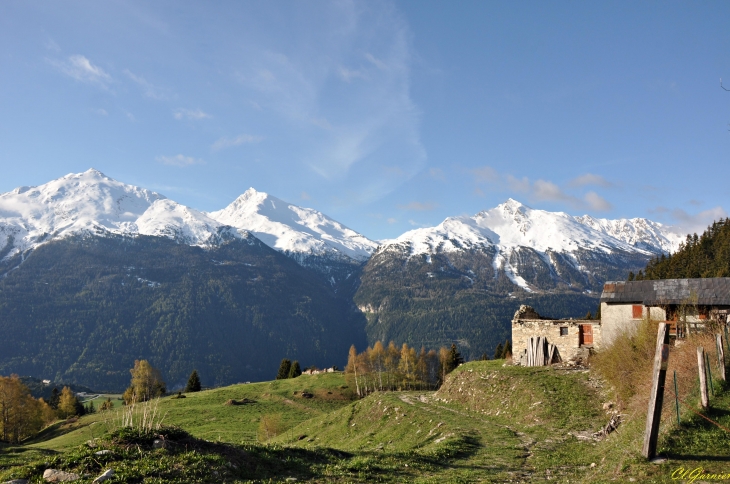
(87, 279)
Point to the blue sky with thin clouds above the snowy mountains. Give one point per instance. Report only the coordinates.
(384, 115)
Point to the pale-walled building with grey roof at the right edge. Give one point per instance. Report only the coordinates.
(685, 304)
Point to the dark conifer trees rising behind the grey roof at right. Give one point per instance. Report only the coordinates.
(707, 255)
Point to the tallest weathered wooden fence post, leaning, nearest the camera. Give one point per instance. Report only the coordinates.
(659, 376)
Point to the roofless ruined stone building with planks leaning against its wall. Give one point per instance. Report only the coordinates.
(559, 340)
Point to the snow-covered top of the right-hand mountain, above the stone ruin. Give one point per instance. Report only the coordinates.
(527, 244)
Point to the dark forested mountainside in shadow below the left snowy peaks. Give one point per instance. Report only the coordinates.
(83, 309)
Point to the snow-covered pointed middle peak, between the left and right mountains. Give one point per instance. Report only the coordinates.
(292, 229)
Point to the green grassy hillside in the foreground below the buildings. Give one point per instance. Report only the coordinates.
(488, 423)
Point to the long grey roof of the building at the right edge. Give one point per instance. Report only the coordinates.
(708, 292)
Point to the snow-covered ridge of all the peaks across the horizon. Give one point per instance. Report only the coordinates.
(91, 201)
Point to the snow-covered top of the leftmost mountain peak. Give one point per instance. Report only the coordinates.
(91, 202)
